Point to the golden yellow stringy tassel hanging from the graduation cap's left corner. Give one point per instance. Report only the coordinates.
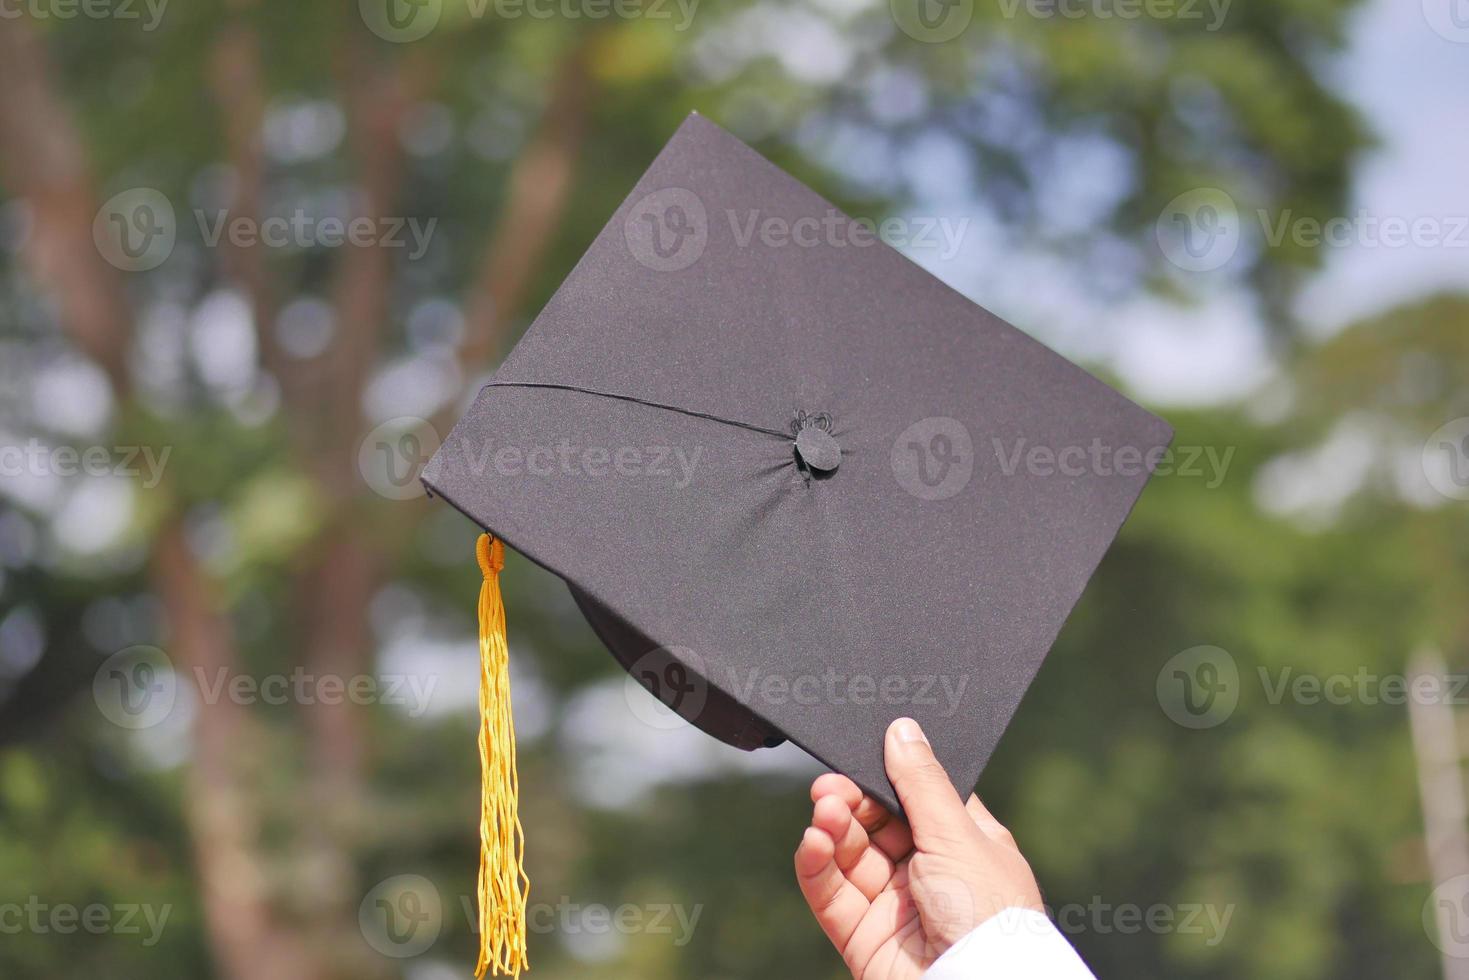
(503, 884)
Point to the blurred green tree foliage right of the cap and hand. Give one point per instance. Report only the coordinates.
(1324, 556)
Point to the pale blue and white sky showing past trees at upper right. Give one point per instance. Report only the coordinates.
(1407, 68)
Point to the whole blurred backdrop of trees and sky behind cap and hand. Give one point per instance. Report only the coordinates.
(255, 253)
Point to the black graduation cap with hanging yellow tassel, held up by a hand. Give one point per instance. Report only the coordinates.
(798, 487)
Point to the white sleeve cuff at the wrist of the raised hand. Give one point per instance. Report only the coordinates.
(1019, 944)
